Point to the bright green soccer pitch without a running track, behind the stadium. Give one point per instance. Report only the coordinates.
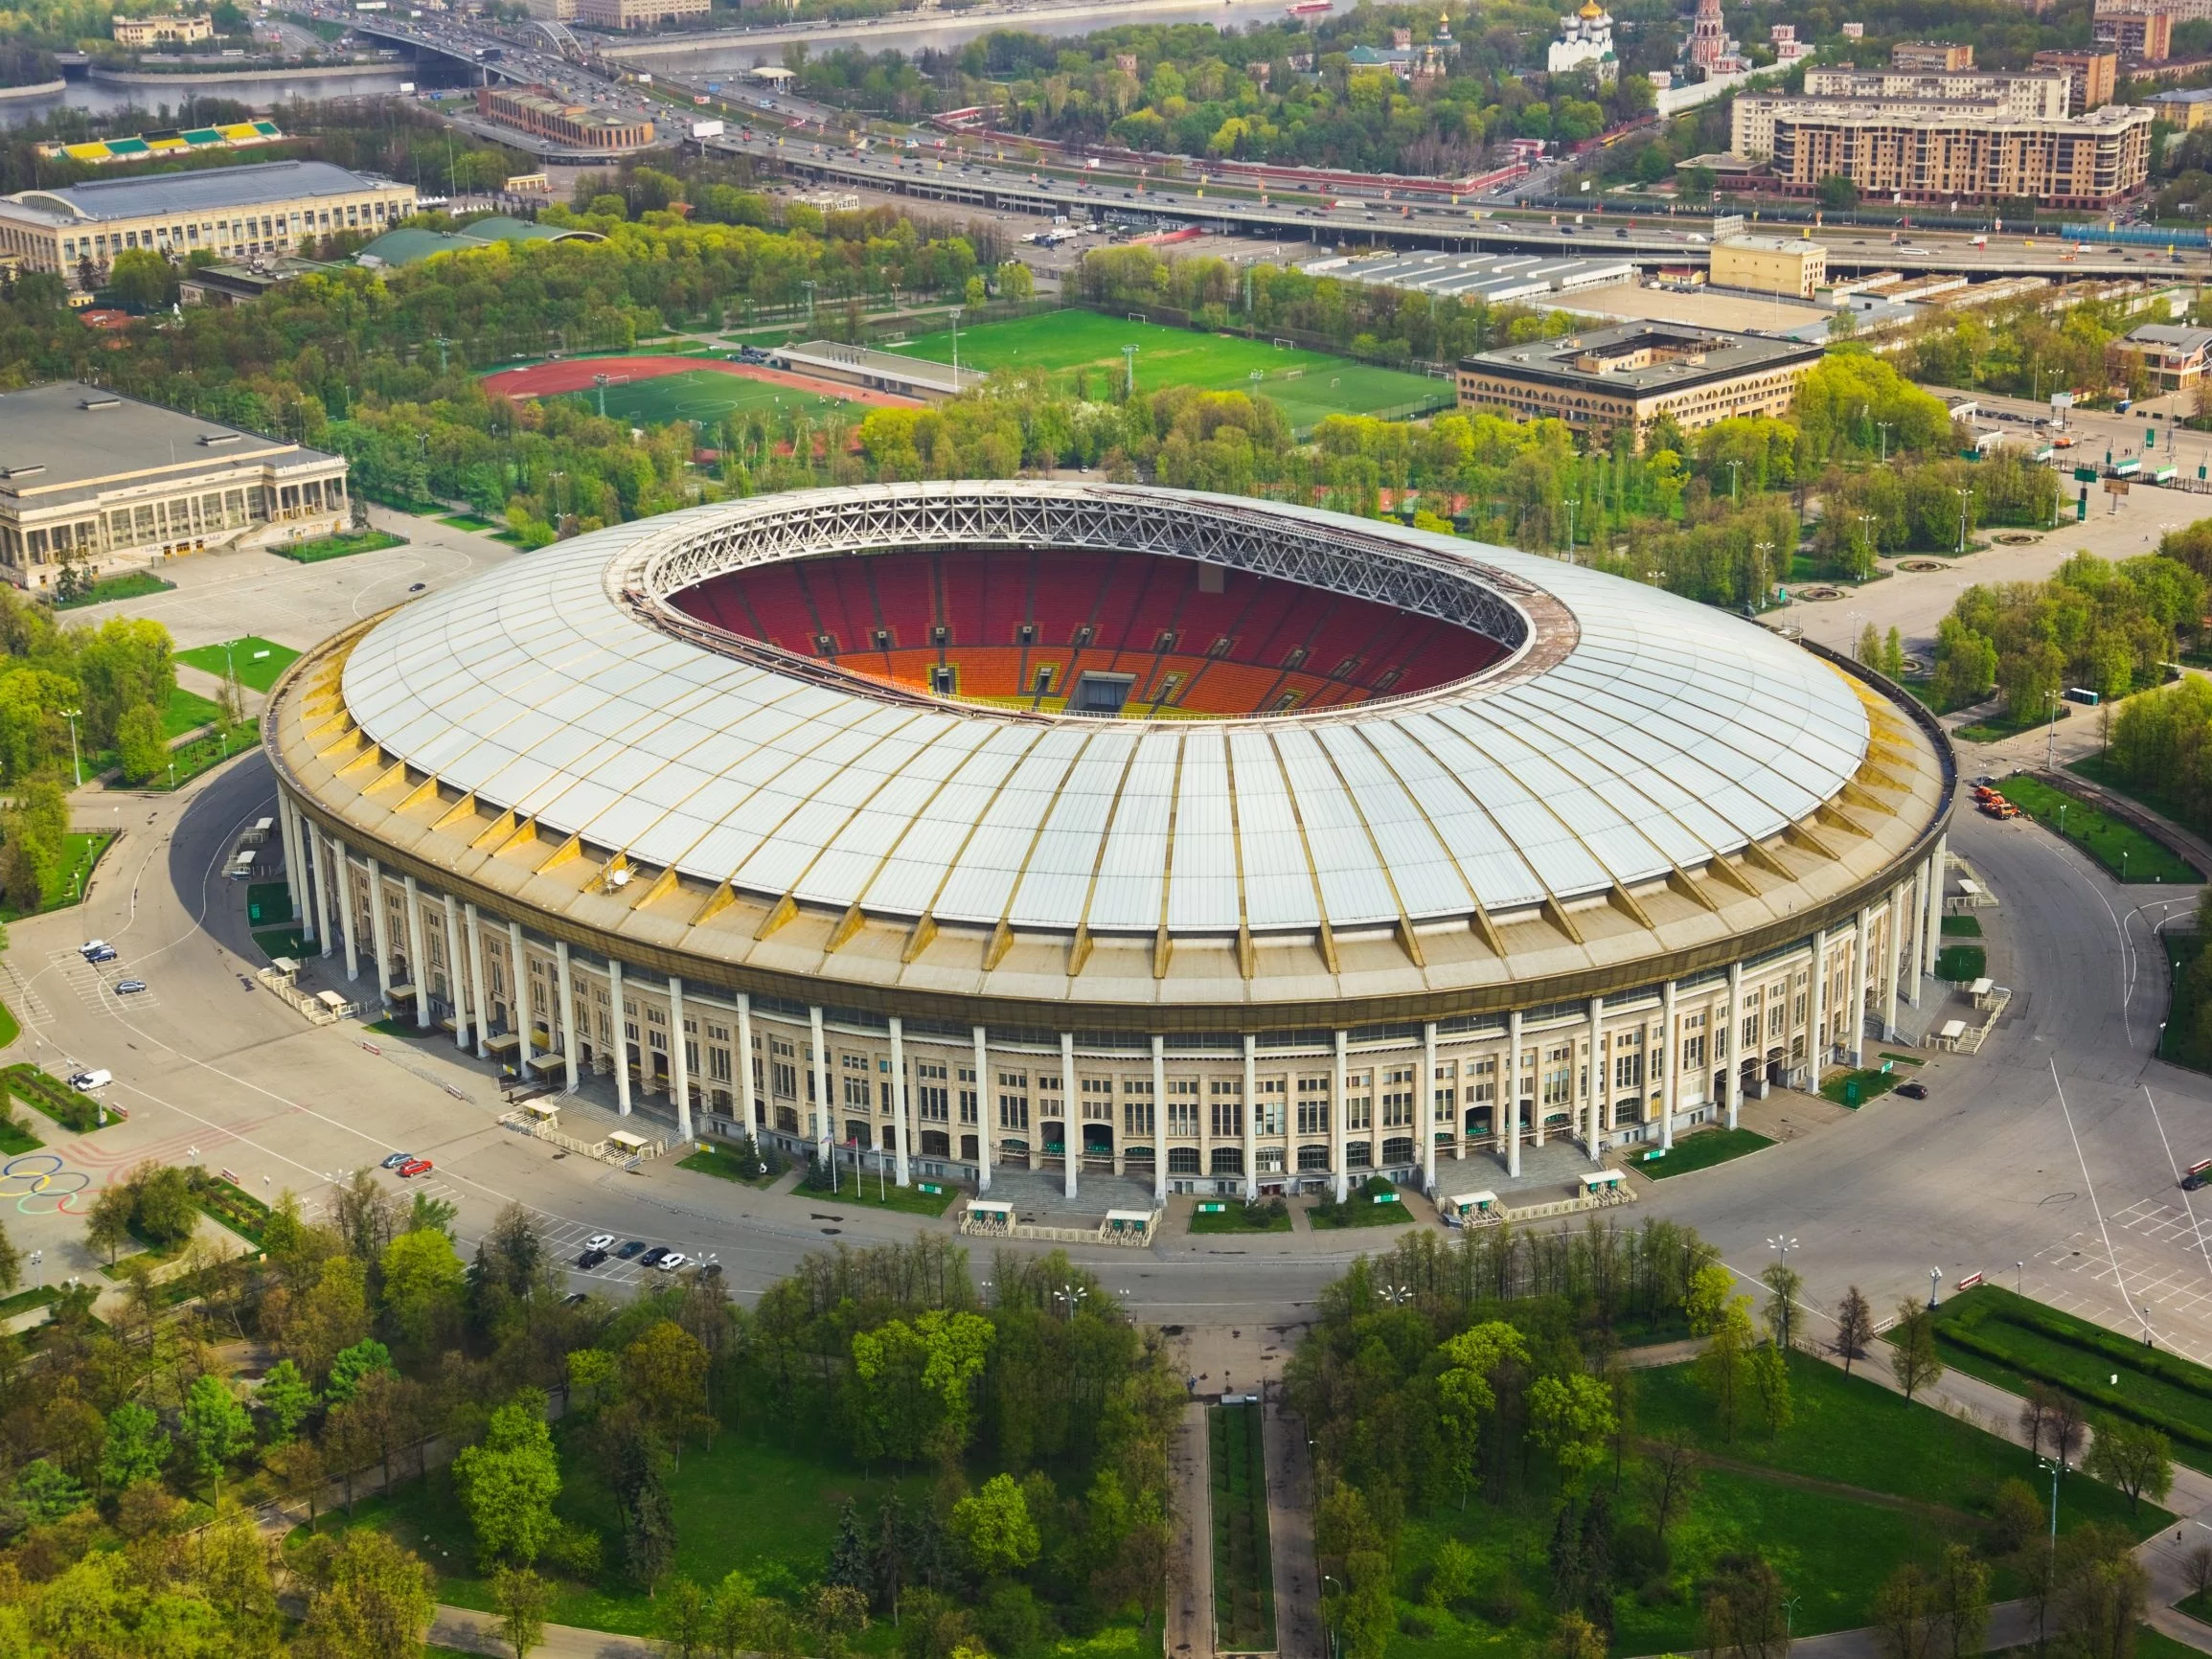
(1306, 386)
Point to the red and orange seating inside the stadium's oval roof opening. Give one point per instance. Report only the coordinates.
(997, 618)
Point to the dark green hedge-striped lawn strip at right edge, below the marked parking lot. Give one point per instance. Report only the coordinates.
(2014, 1342)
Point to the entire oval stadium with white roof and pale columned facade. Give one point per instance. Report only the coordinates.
(1140, 839)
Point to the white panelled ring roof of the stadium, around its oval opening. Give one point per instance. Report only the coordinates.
(1631, 735)
